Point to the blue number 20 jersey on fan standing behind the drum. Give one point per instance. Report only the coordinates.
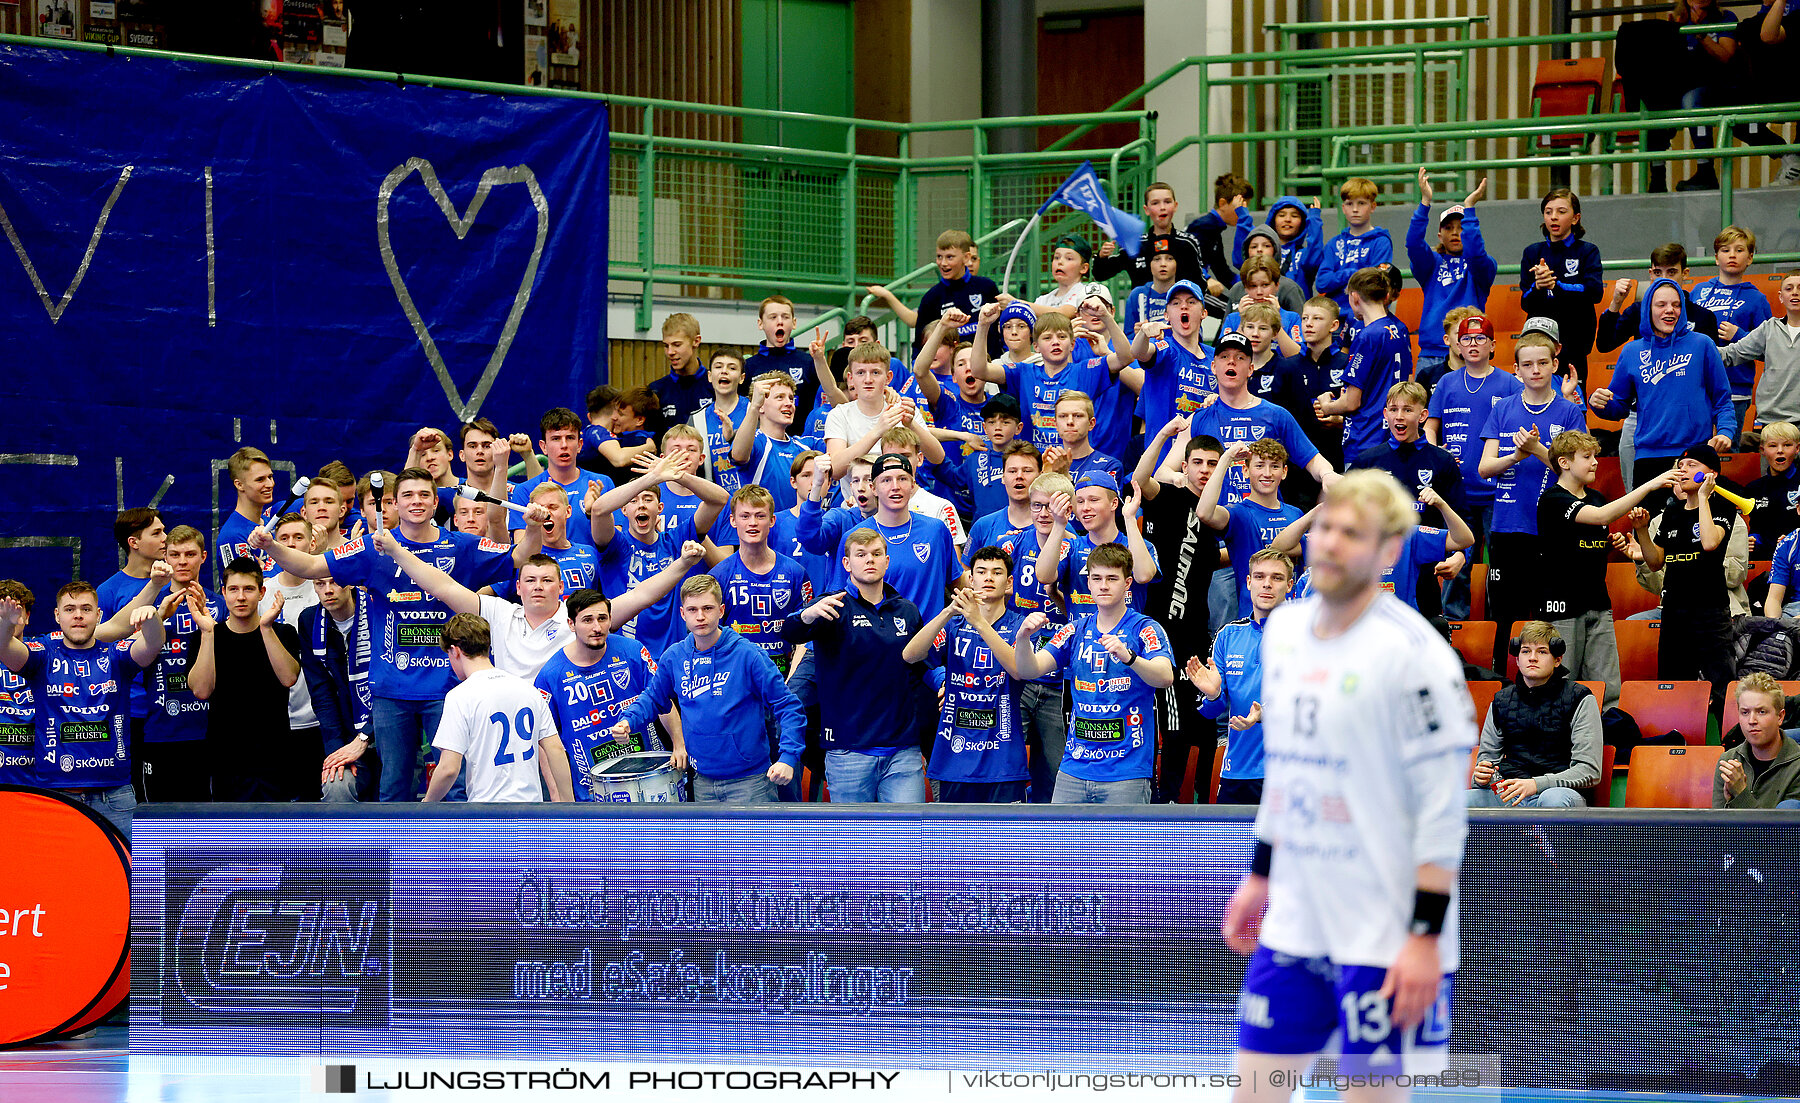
(588, 701)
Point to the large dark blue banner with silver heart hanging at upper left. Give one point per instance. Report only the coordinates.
(202, 258)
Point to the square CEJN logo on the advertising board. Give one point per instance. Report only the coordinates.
(278, 937)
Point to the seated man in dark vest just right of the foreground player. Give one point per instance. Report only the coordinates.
(1542, 739)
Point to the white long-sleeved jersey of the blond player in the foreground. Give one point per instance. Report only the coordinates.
(1367, 740)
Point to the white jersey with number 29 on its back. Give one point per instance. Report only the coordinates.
(496, 721)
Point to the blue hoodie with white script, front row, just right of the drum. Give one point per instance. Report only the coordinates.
(723, 695)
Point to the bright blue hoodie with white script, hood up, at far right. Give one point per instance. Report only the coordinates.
(1675, 382)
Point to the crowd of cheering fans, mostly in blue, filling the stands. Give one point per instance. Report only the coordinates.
(1029, 564)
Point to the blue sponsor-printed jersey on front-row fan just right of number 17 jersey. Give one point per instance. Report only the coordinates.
(1113, 730)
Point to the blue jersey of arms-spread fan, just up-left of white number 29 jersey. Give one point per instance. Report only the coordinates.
(409, 663)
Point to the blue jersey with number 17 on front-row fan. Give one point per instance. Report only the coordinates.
(980, 739)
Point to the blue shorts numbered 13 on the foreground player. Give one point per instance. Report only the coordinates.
(1309, 1005)
